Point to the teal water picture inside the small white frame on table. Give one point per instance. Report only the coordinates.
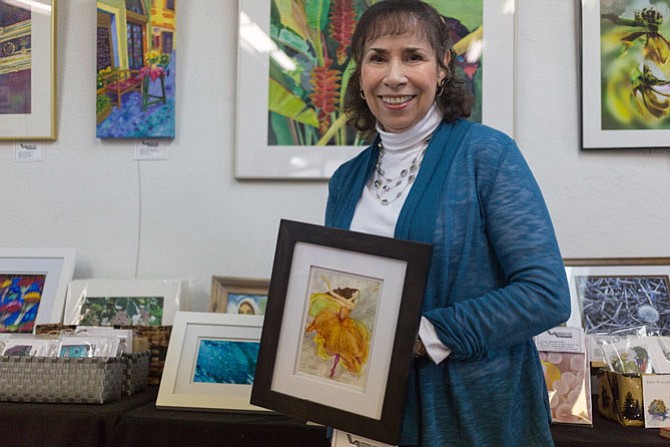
(226, 361)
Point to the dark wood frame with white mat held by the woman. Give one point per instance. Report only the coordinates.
(357, 256)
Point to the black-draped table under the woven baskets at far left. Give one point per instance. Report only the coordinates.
(45, 424)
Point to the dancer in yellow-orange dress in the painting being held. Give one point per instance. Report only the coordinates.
(337, 334)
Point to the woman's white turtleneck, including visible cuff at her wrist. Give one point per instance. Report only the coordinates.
(372, 217)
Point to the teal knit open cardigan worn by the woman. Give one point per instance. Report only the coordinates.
(496, 279)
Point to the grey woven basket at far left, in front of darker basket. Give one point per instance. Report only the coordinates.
(60, 380)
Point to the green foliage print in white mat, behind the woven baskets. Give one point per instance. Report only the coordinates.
(113, 311)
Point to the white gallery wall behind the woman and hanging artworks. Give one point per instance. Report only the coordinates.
(188, 217)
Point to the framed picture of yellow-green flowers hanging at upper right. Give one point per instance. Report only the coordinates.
(625, 68)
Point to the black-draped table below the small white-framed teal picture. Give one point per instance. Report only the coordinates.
(148, 426)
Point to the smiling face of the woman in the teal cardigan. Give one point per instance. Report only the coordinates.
(399, 77)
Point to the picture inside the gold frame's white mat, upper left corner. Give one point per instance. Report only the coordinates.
(15, 58)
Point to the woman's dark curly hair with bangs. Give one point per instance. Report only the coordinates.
(396, 17)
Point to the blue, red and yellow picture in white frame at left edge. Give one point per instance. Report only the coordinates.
(20, 298)
